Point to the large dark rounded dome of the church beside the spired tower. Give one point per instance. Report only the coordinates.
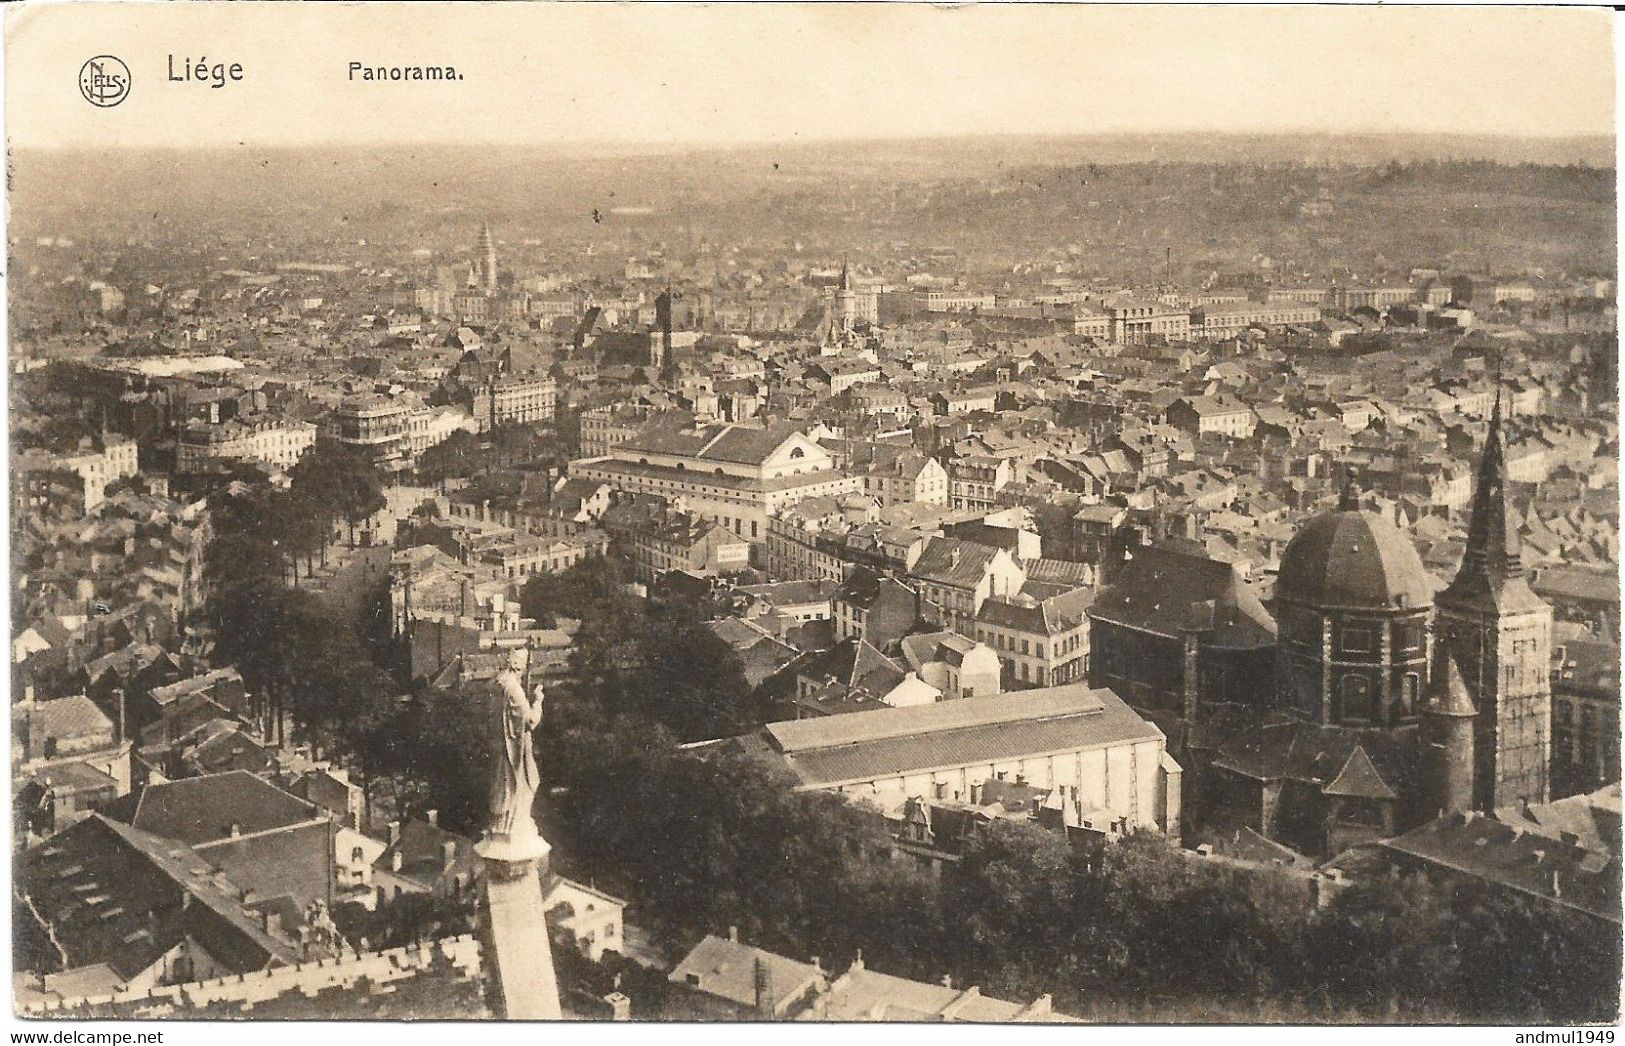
(1353, 560)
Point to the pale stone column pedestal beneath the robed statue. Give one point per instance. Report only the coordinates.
(514, 930)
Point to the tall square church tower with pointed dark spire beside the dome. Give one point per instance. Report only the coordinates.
(1501, 636)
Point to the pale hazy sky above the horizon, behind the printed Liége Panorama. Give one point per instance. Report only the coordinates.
(726, 74)
